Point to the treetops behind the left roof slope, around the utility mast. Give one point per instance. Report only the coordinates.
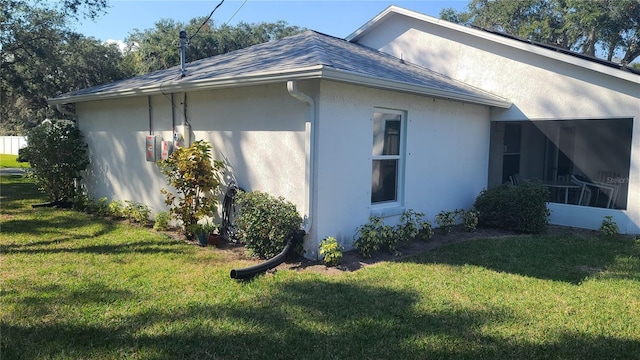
(158, 48)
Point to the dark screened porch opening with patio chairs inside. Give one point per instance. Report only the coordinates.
(582, 162)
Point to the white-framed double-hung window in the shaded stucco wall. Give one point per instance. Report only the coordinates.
(386, 156)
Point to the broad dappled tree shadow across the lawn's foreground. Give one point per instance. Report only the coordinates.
(306, 319)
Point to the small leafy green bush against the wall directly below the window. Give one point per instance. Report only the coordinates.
(373, 236)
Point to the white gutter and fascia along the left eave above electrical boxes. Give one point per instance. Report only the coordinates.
(166, 87)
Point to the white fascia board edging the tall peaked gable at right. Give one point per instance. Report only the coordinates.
(534, 49)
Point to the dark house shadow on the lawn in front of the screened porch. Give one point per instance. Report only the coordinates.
(566, 258)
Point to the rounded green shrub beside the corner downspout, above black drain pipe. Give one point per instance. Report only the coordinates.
(265, 223)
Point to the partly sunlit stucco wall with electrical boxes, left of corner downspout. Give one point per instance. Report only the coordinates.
(258, 132)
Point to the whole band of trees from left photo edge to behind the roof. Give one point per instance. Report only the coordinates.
(41, 57)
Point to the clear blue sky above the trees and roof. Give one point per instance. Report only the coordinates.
(332, 17)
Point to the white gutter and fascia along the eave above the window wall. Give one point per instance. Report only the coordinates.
(371, 81)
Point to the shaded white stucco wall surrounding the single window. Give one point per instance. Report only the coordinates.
(447, 147)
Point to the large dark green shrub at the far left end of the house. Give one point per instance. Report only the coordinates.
(57, 154)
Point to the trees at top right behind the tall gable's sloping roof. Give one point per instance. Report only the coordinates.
(604, 28)
